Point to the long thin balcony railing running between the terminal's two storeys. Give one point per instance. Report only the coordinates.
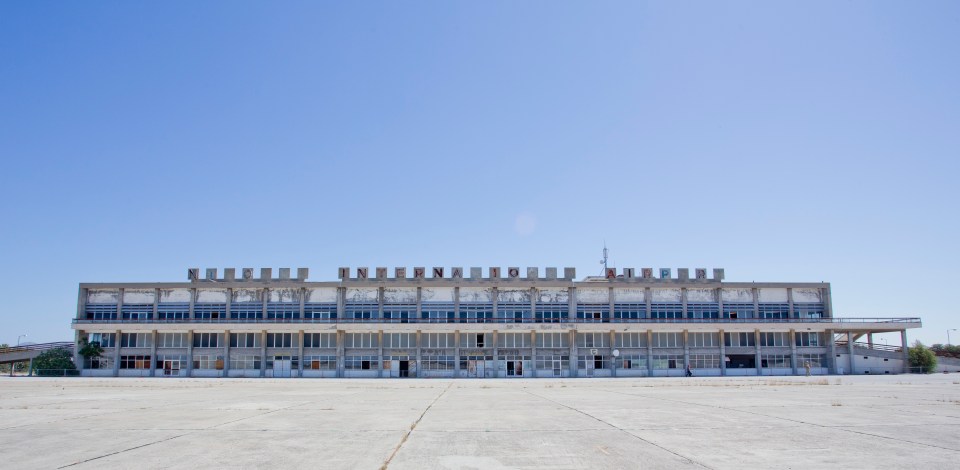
(505, 320)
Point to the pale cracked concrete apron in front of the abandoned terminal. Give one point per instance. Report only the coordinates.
(904, 421)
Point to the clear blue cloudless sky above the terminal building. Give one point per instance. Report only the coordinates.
(782, 141)
